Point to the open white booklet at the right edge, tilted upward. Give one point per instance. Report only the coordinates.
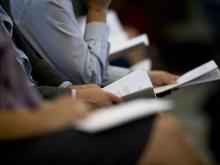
(196, 74)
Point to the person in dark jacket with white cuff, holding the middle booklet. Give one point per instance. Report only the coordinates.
(52, 83)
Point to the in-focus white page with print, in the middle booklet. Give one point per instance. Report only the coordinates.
(133, 82)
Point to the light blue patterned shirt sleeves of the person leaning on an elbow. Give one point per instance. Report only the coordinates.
(51, 27)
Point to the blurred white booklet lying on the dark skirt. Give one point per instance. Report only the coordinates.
(110, 117)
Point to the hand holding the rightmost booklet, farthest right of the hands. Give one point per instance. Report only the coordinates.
(160, 78)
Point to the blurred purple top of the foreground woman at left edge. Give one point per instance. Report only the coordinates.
(15, 91)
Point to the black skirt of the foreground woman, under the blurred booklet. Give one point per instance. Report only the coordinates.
(119, 146)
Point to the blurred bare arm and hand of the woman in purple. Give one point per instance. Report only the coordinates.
(48, 118)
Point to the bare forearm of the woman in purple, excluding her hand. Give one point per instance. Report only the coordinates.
(18, 125)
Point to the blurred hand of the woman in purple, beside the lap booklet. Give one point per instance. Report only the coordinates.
(63, 112)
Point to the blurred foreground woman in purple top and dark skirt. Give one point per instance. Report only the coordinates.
(37, 132)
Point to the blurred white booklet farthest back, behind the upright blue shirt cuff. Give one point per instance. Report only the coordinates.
(120, 44)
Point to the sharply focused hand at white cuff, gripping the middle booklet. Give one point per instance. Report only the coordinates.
(96, 97)
